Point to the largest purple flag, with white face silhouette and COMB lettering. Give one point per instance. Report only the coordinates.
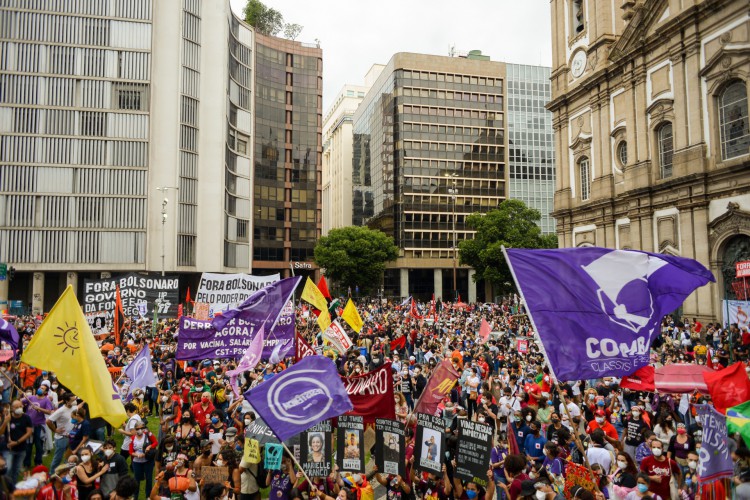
(597, 310)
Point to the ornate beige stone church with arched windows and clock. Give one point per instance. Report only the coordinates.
(651, 128)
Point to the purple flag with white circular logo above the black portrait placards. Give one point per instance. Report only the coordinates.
(301, 396)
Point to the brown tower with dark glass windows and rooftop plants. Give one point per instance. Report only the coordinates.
(288, 155)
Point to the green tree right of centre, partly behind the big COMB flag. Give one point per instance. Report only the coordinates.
(513, 225)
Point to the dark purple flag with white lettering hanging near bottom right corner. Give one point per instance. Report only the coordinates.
(715, 460)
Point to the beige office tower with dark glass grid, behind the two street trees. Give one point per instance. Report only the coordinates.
(429, 150)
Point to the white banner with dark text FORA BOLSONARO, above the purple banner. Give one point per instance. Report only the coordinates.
(227, 291)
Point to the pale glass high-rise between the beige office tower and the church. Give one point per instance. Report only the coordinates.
(531, 146)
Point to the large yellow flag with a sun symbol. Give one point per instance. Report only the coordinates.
(64, 344)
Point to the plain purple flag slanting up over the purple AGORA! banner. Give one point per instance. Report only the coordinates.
(264, 306)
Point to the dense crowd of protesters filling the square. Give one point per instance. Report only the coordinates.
(640, 445)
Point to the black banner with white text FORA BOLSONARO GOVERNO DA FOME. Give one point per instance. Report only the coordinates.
(159, 293)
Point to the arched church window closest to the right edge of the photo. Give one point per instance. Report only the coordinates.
(733, 125)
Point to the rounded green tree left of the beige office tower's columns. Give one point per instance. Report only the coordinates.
(355, 256)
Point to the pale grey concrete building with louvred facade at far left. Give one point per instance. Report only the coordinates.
(126, 141)
